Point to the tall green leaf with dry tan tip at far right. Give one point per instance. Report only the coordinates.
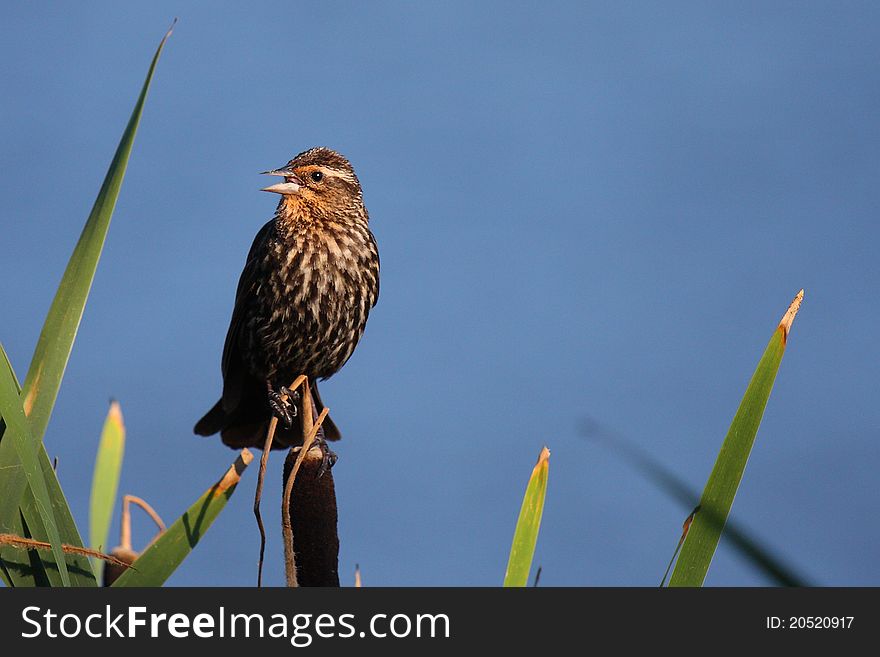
(705, 531)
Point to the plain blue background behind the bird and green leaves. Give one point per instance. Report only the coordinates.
(583, 209)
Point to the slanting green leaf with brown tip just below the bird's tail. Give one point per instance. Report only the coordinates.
(167, 552)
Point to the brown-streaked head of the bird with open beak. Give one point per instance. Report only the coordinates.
(318, 182)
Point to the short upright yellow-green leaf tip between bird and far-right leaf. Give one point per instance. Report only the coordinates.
(525, 537)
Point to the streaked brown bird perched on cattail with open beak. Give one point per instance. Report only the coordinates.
(309, 283)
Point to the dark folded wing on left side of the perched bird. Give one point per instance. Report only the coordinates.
(233, 368)
